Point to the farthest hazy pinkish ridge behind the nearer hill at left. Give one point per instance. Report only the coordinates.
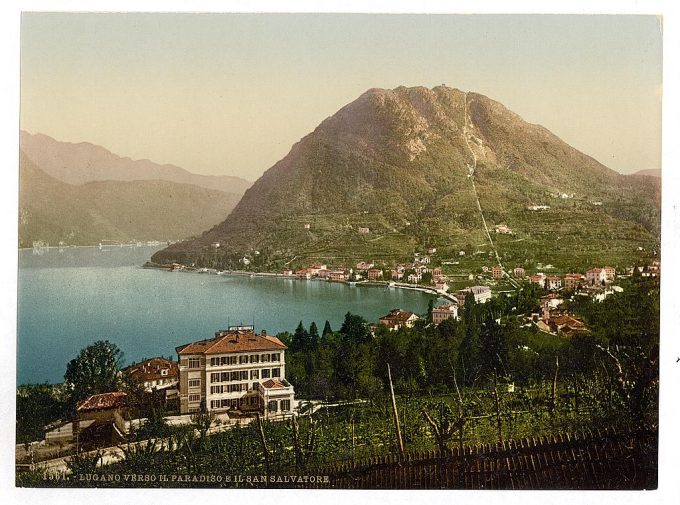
(84, 162)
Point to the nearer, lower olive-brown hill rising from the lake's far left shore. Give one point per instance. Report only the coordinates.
(52, 211)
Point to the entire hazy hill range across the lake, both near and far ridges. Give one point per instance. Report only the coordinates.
(87, 194)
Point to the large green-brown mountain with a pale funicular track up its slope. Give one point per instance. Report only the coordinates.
(398, 163)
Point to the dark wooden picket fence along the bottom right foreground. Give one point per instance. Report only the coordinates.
(587, 460)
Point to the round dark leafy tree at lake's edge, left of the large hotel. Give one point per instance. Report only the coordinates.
(95, 370)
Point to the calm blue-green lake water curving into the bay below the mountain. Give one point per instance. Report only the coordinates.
(69, 299)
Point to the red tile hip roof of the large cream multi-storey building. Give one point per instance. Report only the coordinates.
(233, 341)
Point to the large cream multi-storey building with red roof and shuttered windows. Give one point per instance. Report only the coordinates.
(236, 370)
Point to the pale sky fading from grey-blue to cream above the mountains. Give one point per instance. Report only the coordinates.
(230, 93)
